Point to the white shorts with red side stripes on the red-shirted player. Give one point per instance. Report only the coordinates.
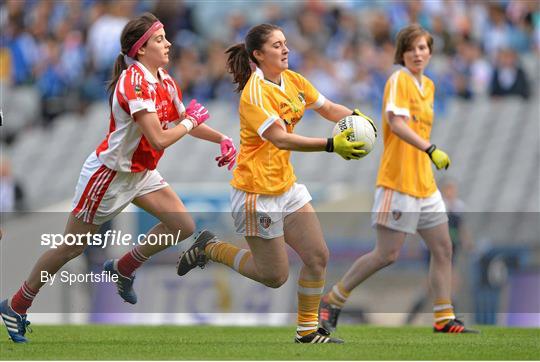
(103, 193)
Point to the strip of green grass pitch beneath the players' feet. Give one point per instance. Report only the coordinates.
(100, 342)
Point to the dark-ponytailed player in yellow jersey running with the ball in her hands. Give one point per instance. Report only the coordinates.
(269, 208)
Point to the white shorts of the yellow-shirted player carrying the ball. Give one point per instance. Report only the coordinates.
(263, 215)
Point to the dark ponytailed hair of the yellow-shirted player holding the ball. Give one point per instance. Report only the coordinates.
(240, 55)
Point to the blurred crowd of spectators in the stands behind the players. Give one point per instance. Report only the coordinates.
(66, 48)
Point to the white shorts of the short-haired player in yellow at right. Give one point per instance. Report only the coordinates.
(407, 213)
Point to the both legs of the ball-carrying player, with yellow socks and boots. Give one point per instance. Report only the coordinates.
(266, 262)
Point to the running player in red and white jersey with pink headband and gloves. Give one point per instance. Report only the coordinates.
(147, 116)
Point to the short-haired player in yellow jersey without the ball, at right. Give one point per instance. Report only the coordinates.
(407, 199)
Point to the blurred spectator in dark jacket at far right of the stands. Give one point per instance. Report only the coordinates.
(509, 78)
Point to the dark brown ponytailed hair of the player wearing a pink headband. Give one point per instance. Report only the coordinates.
(132, 32)
